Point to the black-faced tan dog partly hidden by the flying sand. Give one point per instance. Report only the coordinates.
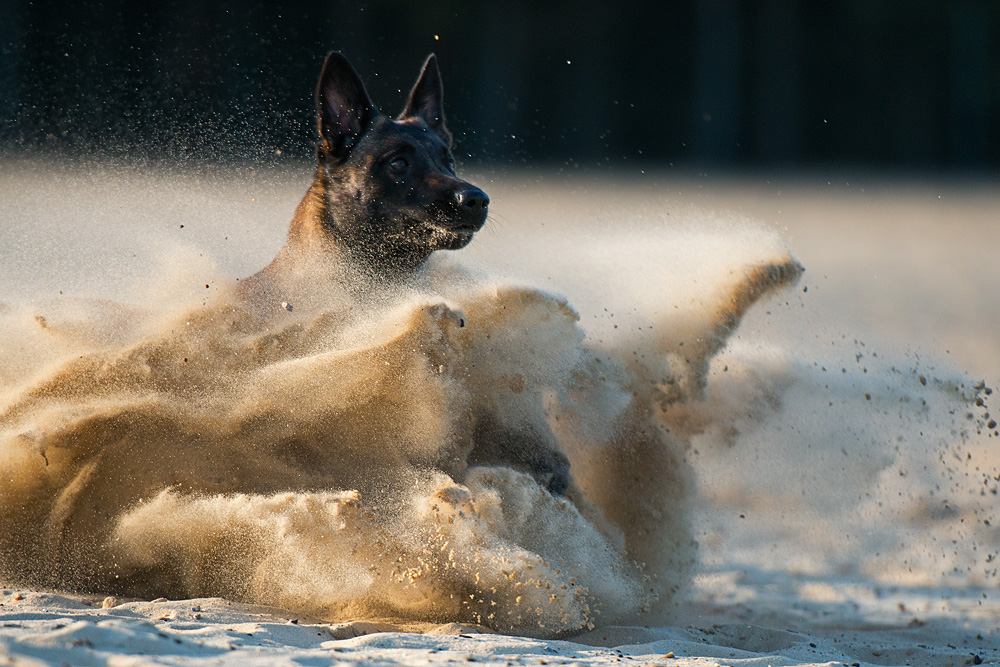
(385, 196)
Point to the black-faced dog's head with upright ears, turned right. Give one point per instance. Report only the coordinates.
(389, 183)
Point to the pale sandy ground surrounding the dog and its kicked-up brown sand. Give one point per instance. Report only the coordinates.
(845, 510)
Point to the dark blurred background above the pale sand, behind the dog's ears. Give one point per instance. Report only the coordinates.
(895, 84)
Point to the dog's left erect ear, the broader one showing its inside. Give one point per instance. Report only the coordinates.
(345, 110)
